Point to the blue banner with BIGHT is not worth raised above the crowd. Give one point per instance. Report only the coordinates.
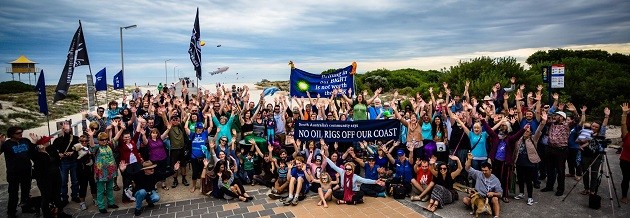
(322, 84)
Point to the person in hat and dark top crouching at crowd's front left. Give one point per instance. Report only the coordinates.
(145, 181)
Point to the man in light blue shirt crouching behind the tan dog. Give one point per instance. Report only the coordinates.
(487, 185)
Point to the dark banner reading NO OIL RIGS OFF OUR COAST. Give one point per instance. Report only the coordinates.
(347, 131)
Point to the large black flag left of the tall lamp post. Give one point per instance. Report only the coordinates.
(77, 56)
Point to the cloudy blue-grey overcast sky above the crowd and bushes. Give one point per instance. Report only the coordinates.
(258, 38)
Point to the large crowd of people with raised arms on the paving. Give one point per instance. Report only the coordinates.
(229, 141)
